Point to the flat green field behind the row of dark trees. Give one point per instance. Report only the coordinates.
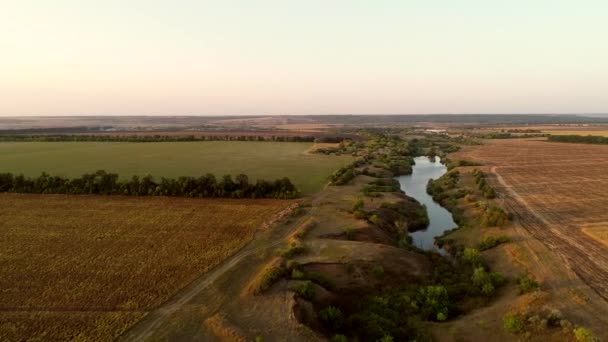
(258, 160)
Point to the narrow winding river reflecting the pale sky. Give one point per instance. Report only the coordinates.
(414, 186)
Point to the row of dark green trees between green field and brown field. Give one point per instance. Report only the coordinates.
(104, 183)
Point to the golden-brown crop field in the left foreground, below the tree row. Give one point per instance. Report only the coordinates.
(89, 267)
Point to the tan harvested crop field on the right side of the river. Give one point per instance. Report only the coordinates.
(559, 193)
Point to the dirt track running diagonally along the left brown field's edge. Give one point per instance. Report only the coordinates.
(150, 326)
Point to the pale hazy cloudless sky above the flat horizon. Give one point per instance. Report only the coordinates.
(146, 57)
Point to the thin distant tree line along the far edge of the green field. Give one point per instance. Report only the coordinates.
(165, 138)
